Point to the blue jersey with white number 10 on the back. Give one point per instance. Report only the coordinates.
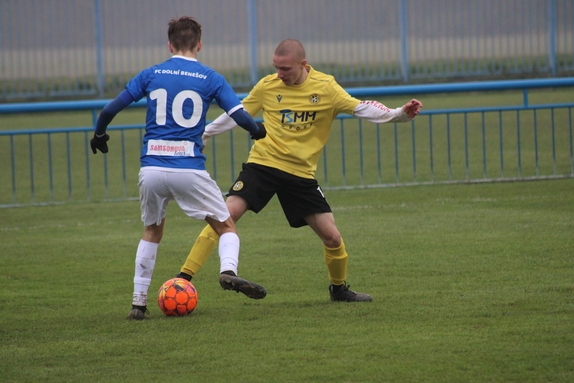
(179, 92)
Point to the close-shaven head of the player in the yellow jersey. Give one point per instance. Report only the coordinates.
(289, 62)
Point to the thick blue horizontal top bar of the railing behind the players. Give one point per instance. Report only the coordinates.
(480, 86)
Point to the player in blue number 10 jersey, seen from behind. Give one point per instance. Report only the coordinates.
(179, 92)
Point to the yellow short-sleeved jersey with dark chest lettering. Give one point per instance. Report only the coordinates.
(298, 119)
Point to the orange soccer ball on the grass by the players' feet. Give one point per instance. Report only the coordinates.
(177, 297)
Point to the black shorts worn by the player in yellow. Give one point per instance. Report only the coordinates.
(299, 197)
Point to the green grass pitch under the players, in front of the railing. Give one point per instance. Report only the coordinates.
(470, 283)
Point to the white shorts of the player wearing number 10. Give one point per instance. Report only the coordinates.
(194, 190)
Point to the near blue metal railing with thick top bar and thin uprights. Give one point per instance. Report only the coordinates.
(440, 146)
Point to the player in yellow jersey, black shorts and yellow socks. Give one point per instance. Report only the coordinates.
(298, 105)
